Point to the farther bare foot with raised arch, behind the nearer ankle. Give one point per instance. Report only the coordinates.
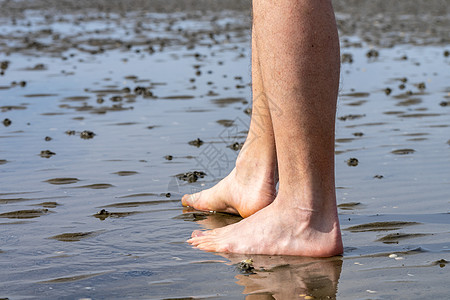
(249, 187)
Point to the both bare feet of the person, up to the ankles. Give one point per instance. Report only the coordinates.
(271, 225)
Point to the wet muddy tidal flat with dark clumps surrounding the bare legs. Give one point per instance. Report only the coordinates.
(110, 113)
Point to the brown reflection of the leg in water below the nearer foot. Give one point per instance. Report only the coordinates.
(288, 277)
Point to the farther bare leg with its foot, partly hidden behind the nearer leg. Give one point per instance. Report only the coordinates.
(251, 184)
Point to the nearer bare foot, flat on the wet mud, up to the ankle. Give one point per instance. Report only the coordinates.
(277, 230)
